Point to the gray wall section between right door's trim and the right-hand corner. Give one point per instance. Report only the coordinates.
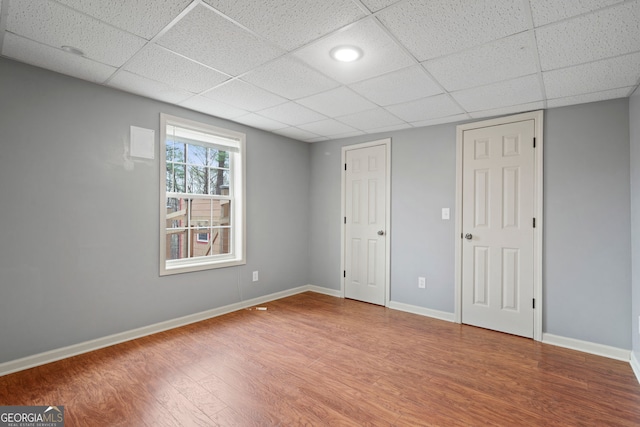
(587, 276)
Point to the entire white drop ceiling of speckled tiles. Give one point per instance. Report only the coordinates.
(266, 64)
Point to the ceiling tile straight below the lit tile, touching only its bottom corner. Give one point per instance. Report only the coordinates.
(337, 102)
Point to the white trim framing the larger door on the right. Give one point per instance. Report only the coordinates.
(537, 116)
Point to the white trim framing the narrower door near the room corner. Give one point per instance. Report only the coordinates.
(343, 210)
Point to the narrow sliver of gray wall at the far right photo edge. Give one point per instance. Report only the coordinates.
(634, 122)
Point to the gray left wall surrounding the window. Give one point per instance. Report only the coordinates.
(79, 221)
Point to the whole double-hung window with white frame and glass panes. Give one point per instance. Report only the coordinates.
(202, 196)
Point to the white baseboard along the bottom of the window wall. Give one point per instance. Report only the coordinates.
(96, 344)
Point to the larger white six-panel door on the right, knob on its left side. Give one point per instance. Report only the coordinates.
(498, 227)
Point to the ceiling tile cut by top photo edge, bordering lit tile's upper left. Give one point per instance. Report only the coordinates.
(290, 23)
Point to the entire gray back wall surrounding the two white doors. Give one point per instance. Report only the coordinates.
(587, 220)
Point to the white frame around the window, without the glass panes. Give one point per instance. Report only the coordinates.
(237, 142)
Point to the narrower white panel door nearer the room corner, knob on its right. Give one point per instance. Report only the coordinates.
(365, 222)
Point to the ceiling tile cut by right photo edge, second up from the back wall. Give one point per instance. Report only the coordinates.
(611, 73)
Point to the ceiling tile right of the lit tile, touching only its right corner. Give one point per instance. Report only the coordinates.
(503, 59)
